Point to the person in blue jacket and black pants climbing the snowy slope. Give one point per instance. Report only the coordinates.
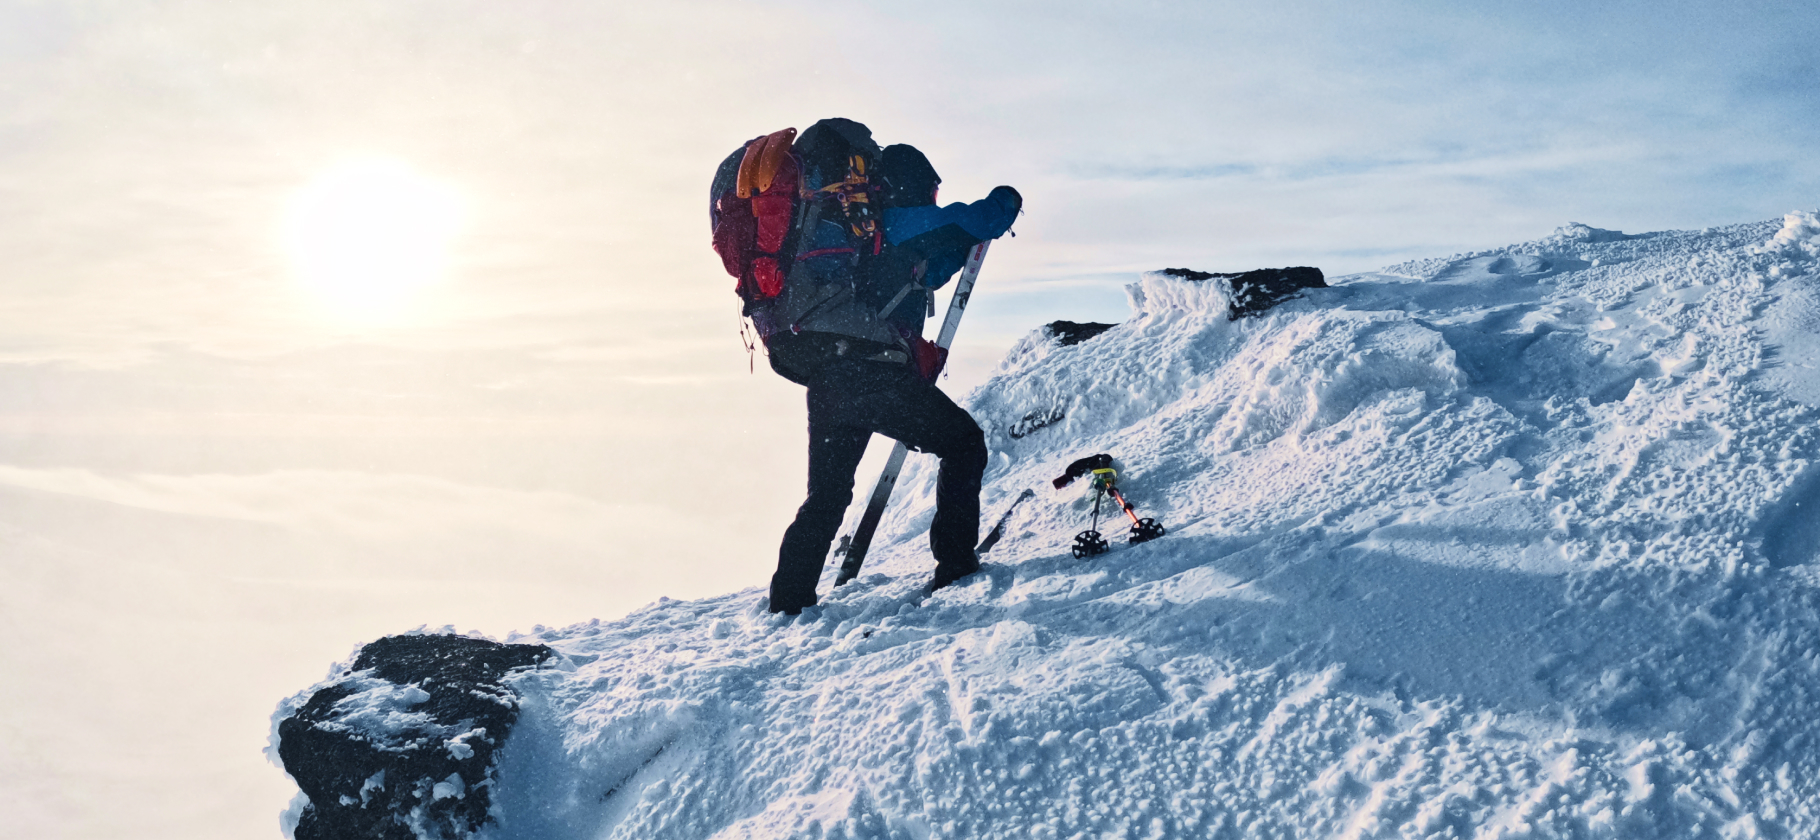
(865, 365)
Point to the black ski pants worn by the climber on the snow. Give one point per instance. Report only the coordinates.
(847, 405)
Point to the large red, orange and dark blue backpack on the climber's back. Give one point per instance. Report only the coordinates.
(796, 221)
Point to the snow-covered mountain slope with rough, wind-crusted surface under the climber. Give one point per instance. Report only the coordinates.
(1508, 545)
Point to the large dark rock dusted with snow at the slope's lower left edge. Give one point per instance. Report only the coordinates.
(401, 748)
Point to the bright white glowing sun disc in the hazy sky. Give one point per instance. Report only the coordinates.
(367, 235)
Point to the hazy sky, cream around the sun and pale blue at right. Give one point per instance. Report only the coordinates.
(219, 472)
